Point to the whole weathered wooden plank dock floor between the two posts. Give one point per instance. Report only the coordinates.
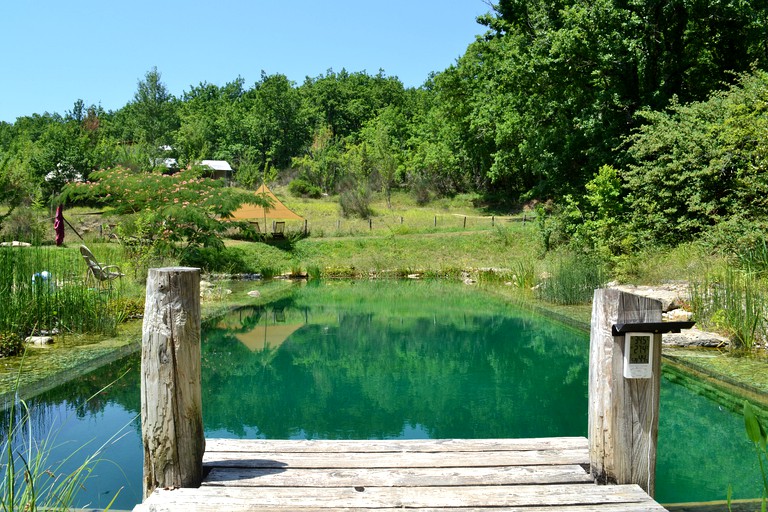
(530, 475)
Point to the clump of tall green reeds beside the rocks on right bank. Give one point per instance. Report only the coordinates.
(733, 302)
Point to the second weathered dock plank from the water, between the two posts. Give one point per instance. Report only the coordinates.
(394, 460)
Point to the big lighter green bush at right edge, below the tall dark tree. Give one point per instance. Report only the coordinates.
(699, 165)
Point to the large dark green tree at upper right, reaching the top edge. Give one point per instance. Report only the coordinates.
(545, 98)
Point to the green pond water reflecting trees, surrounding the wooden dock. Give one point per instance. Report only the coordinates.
(383, 360)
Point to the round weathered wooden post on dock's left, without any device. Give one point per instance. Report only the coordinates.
(171, 409)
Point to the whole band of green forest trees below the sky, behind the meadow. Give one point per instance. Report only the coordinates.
(655, 106)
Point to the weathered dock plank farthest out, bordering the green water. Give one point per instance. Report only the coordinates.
(394, 445)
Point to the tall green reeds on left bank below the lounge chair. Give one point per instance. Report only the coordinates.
(44, 289)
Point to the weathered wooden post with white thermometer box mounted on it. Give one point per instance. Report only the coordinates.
(623, 413)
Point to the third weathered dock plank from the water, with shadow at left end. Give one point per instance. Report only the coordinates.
(407, 477)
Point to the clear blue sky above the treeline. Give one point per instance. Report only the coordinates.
(55, 52)
